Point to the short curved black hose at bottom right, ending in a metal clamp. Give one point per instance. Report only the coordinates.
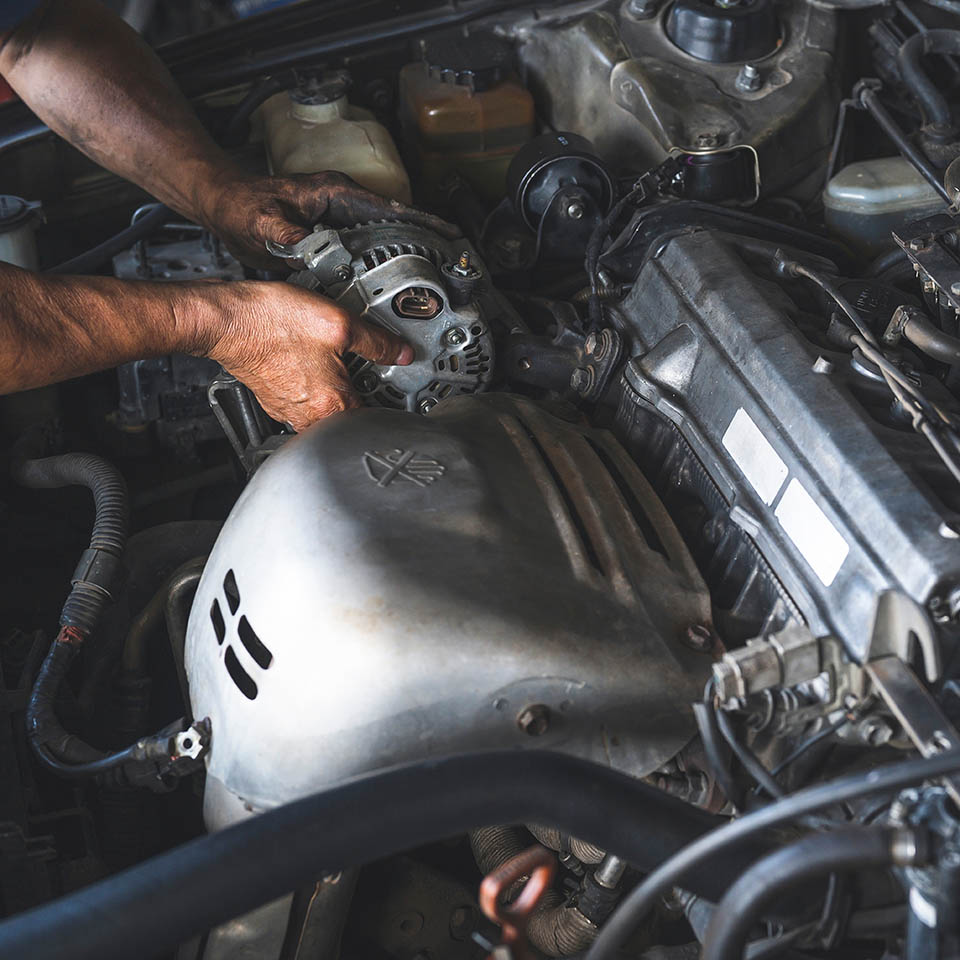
(848, 849)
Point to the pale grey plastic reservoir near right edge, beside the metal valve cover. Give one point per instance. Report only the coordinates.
(866, 200)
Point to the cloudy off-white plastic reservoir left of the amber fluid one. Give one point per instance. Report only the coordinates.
(315, 128)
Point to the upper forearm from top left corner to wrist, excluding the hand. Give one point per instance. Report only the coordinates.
(94, 81)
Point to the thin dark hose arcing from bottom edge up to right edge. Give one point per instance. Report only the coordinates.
(725, 841)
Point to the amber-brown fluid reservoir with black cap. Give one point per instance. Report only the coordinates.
(464, 111)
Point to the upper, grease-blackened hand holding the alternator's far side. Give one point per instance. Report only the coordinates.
(246, 212)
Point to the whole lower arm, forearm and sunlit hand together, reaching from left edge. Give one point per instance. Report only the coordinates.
(282, 341)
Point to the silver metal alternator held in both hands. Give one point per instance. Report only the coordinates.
(410, 280)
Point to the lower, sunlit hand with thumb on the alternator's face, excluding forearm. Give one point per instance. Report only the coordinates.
(285, 343)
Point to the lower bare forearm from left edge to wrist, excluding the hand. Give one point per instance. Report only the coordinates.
(53, 328)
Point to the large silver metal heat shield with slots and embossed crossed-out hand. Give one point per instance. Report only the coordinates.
(413, 583)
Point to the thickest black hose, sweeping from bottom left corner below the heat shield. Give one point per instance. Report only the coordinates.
(156, 905)
